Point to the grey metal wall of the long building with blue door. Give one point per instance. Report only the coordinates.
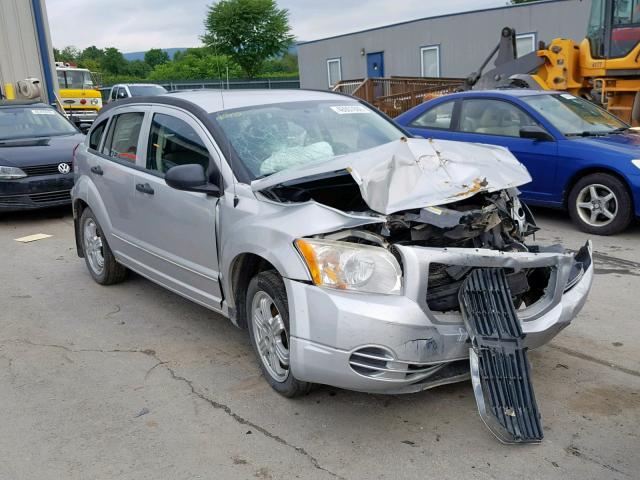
(464, 39)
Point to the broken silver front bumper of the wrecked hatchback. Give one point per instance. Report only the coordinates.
(406, 345)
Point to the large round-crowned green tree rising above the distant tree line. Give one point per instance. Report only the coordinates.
(248, 31)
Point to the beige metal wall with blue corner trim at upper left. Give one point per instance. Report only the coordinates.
(19, 54)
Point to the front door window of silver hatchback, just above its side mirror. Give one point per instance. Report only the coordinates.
(172, 142)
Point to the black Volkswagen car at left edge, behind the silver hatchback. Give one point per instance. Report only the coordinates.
(36, 151)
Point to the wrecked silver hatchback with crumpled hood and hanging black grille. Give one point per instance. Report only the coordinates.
(354, 255)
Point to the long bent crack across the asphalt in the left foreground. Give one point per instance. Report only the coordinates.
(217, 405)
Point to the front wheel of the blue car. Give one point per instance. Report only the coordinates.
(600, 204)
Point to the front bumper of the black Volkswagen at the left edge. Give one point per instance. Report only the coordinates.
(35, 192)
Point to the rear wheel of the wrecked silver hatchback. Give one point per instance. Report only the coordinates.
(100, 261)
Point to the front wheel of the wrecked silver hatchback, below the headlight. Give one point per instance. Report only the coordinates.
(267, 310)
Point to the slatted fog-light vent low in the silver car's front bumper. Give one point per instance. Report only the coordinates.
(379, 362)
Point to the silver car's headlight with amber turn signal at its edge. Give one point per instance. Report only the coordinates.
(350, 266)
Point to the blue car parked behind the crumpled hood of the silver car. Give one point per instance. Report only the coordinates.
(581, 158)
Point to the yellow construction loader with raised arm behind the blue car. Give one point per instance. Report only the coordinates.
(604, 67)
